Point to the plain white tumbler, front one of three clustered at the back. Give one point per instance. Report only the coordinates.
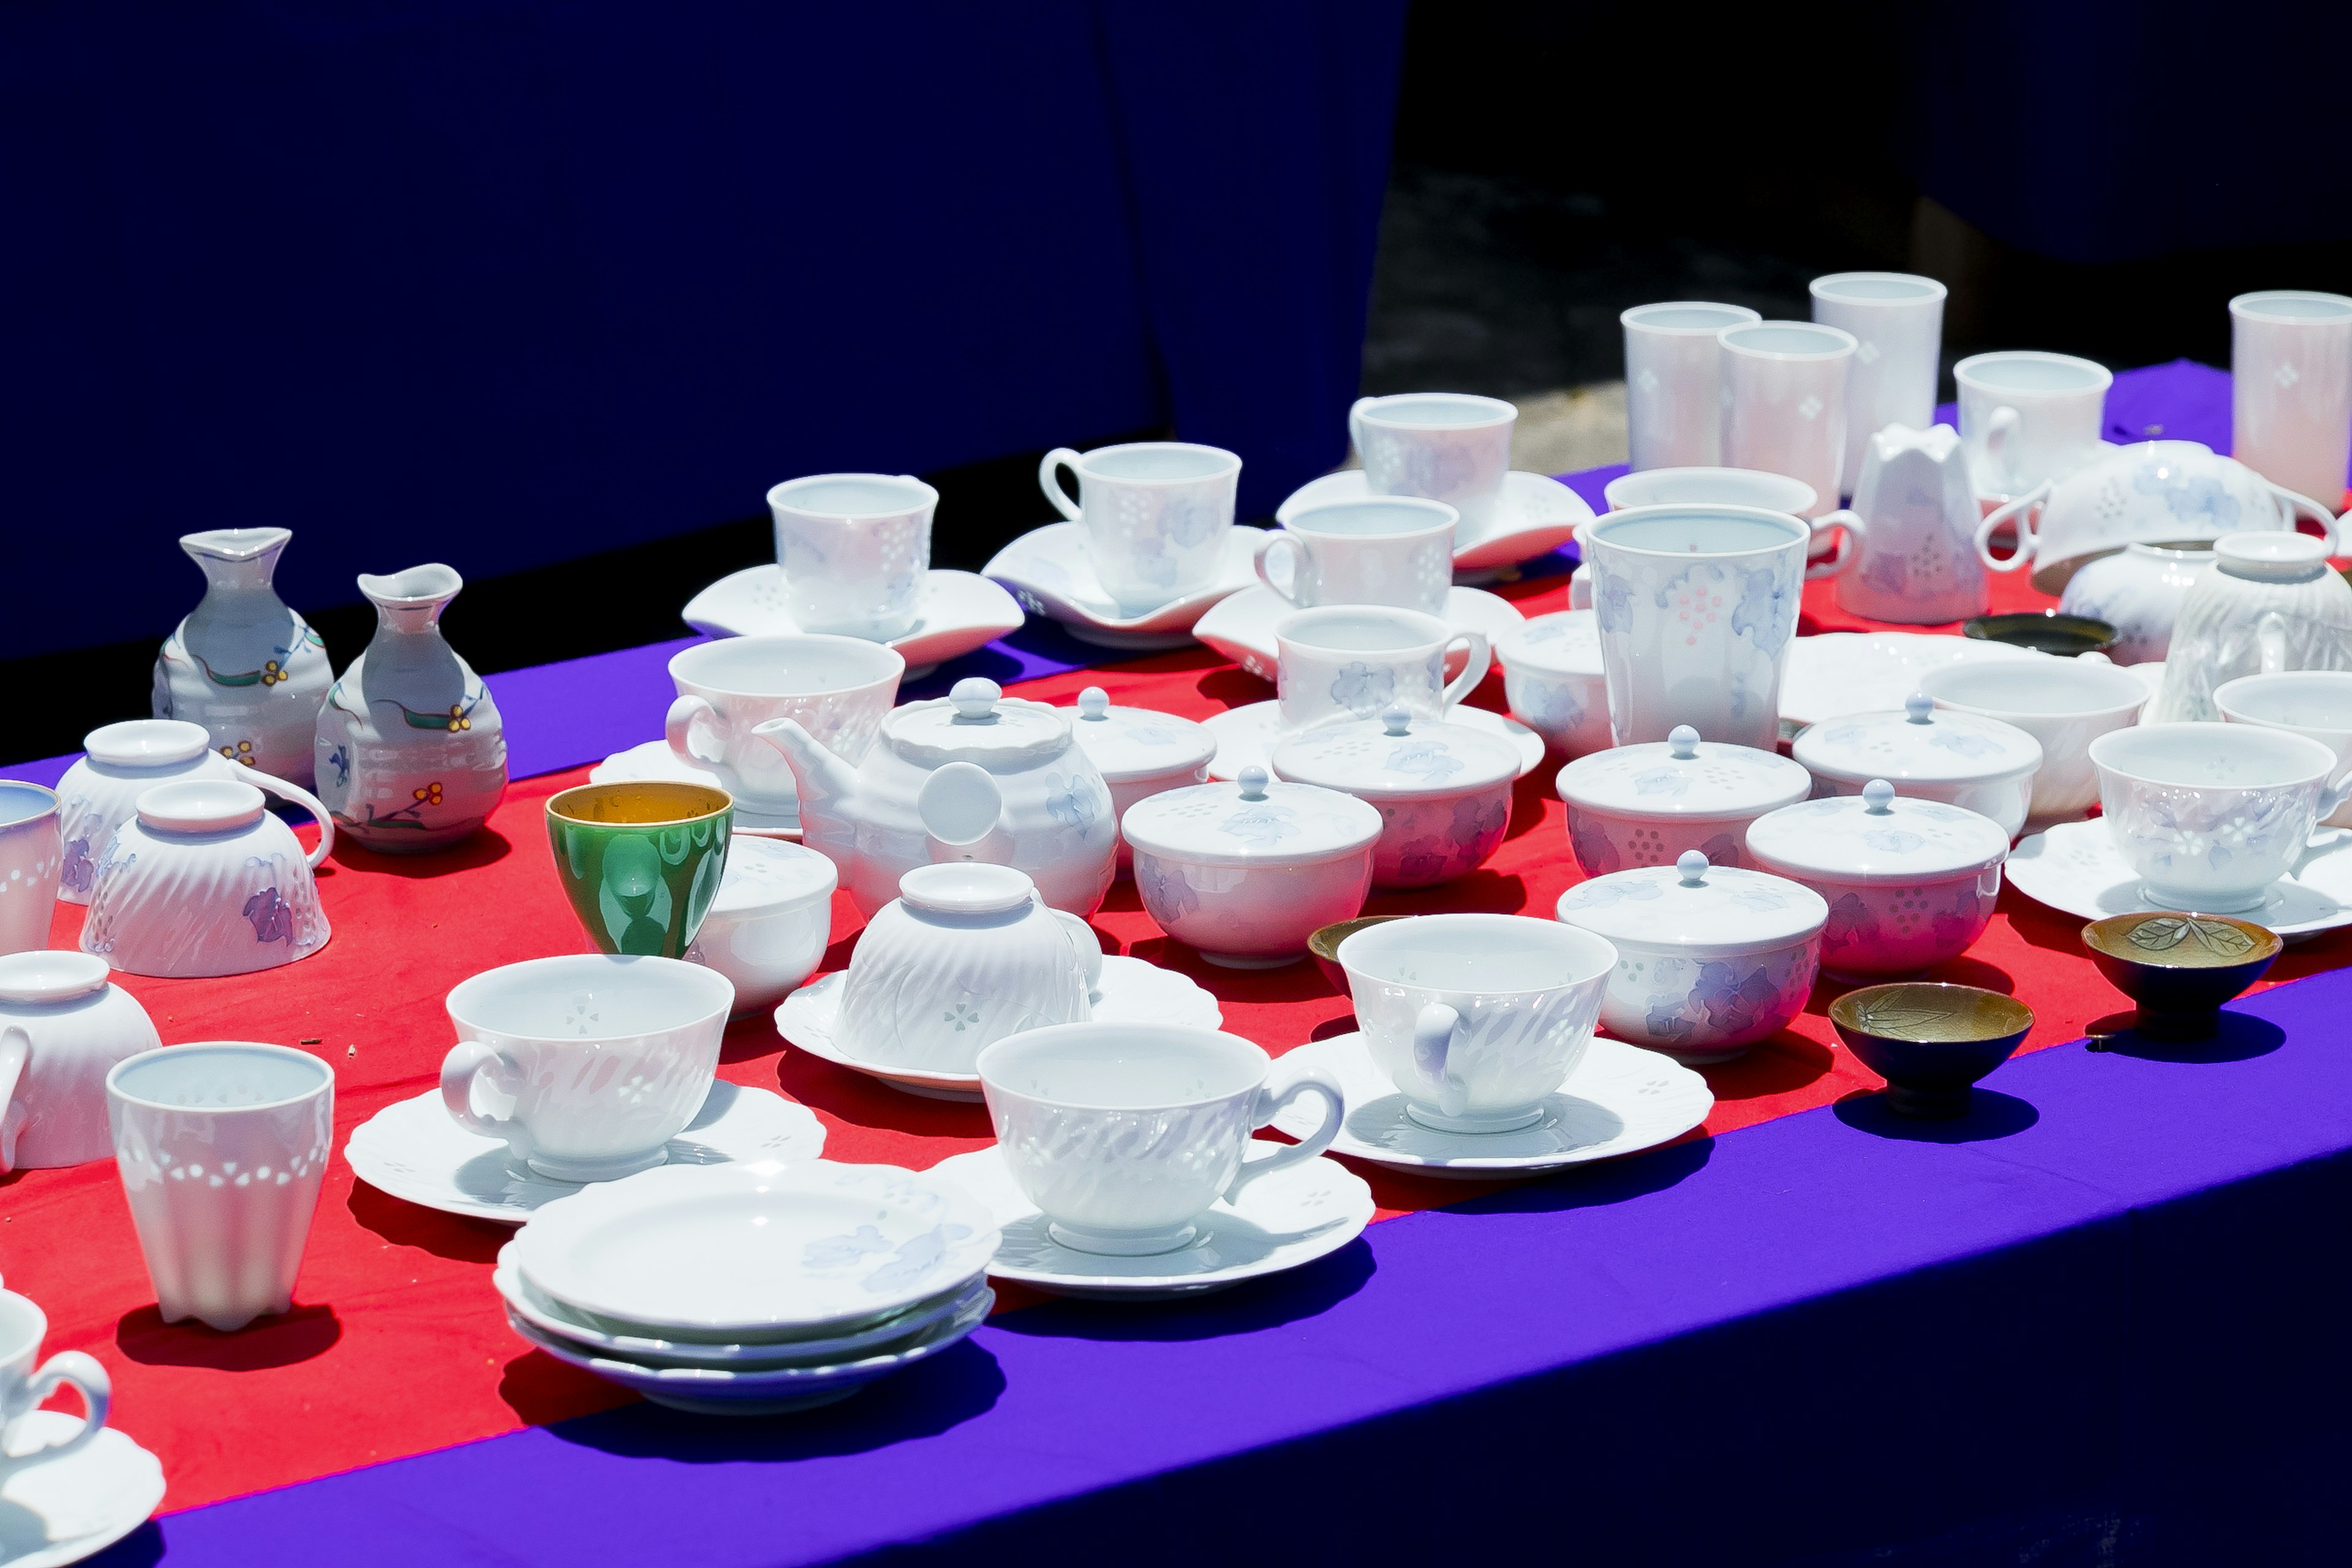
(1786, 401)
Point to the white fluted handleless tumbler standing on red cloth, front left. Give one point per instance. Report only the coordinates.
(222, 1148)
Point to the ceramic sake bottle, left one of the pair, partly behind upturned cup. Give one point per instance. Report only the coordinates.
(246, 666)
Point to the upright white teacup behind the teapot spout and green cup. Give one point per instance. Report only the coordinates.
(838, 688)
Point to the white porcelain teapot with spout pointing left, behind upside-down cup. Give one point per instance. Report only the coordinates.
(1050, 808)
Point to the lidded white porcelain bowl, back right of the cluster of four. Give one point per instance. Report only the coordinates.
(1927, 753)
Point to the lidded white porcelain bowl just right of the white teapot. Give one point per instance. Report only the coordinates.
(1248, 871)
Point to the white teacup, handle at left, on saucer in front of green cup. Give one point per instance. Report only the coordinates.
(587, 1066)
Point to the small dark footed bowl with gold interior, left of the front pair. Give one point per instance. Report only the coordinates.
(1930, 1040)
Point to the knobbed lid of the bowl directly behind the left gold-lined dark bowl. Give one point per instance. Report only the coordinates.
(1876, 838)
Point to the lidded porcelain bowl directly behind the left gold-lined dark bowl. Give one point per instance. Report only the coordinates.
(1911, 883)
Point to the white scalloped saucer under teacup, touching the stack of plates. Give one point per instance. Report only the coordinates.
(1281, 1224)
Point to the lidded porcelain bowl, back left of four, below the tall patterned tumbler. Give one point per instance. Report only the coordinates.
(1648, 805)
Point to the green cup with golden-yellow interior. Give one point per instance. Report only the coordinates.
(641, 862)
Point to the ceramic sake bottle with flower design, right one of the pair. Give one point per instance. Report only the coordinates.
(410, 749)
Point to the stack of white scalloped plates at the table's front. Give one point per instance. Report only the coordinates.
(751, 1289)
